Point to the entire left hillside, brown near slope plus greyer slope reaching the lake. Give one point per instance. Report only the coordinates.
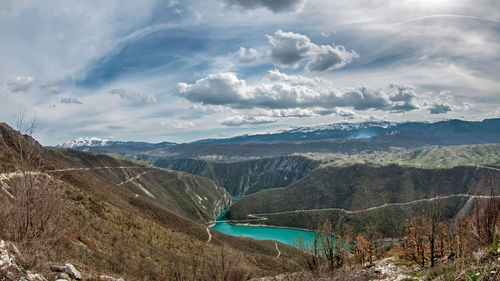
(109, 224)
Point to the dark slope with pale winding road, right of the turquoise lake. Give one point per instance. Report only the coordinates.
(361, 195)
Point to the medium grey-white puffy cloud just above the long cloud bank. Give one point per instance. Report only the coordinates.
(291, 49)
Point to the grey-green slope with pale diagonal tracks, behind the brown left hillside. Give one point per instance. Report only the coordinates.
(190, 196)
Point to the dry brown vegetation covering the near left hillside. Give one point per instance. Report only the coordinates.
(110, 230)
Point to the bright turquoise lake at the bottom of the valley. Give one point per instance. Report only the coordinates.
(283, 235)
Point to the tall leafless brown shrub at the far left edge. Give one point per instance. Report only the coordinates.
(31, 210)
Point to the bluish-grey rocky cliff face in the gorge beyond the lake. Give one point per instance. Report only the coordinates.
(245, 177)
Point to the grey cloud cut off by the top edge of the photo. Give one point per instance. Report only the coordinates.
(276, 6)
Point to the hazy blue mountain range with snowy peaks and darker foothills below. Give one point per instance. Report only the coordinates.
(335, 138)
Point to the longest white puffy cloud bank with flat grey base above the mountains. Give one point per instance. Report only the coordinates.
(285, 95)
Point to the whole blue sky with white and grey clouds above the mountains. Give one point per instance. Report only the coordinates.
(186, 70)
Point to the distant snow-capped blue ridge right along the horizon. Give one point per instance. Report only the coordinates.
(335, 131)
